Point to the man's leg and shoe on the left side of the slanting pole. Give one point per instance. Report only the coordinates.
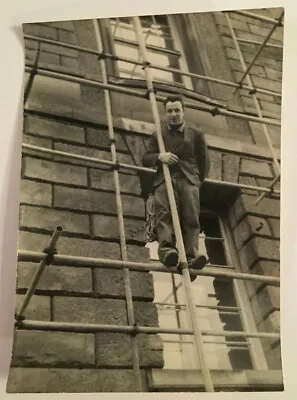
(164, 226)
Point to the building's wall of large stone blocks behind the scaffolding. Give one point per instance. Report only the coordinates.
(70, 117)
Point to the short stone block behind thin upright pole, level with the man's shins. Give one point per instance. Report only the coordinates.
(108, 227)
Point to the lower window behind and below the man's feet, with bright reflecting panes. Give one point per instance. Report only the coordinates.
(221, 305)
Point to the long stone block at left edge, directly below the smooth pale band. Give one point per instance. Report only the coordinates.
(55, 130)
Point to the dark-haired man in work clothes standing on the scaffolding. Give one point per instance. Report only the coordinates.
(188, 161)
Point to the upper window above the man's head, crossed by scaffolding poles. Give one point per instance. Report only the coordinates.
(162, 45)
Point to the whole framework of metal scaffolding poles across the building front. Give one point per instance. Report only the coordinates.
(49, 255)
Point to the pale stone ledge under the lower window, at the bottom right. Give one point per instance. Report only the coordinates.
(165, 380)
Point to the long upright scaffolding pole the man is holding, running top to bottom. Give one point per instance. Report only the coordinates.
(198, 342)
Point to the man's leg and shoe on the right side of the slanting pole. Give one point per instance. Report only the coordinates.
(190, 211)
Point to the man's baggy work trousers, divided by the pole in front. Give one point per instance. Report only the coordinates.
(187, 199)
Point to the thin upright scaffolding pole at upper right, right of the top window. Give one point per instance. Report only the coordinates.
(256, 101)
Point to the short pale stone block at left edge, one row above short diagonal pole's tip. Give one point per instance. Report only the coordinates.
(37, 193)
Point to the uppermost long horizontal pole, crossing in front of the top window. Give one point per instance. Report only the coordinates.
(154, 66)
